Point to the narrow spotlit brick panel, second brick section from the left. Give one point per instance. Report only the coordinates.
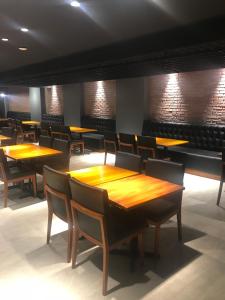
(54, 100)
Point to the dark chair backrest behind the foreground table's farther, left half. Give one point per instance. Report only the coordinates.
(128, 161)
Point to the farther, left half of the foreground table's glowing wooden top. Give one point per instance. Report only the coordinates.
(100, 174)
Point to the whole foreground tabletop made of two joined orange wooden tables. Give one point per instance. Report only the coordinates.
(126, 189)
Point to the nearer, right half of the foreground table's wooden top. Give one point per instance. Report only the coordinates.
(135, 191)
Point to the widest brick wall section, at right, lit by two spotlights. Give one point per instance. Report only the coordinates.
(191, 97)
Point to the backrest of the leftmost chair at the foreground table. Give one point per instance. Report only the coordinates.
(57, 191)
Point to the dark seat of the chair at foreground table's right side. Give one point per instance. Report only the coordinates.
(159, 209)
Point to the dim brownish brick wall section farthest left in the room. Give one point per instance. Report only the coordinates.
(18, 99)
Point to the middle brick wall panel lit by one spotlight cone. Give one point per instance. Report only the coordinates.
(100, 99)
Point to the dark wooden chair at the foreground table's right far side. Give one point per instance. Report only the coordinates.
(161, 210)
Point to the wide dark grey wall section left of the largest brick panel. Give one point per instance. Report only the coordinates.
(130, 105)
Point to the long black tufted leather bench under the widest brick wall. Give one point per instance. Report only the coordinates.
(203, 153)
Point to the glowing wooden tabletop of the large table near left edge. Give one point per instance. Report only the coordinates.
(28, 151)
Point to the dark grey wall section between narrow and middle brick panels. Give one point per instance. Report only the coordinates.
(73, 95)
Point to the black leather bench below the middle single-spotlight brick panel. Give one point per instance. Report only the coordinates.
(95, 141)
